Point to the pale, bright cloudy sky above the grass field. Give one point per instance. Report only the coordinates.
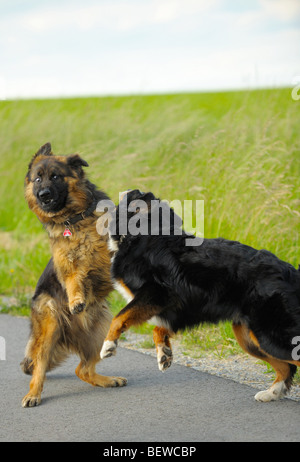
(73, 48)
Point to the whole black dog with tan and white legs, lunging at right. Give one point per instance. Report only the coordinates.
(181, 287)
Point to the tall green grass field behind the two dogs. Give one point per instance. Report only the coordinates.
(238, 151)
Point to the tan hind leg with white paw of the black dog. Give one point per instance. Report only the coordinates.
(284, 370)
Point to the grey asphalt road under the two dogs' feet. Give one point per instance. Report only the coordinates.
(180, 405)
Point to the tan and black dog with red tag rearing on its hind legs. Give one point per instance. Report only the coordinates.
(69, 310)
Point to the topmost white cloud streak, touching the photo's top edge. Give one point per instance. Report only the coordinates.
(115, 15)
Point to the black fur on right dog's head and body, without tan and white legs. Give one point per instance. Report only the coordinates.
(216, 281)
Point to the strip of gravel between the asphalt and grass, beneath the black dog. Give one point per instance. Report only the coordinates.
(239, 368)
